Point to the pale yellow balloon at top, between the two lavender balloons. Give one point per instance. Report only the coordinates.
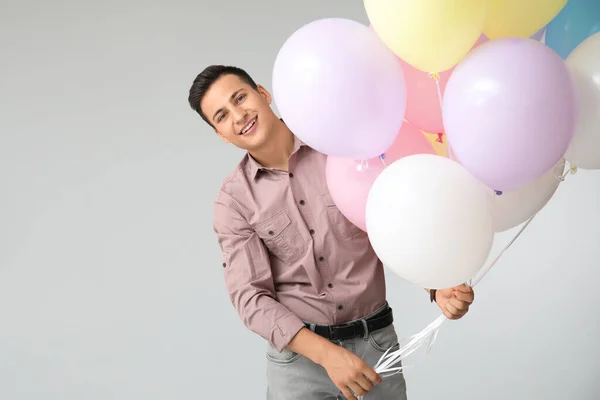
(430, 35)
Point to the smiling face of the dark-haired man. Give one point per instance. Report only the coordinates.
(240, 114)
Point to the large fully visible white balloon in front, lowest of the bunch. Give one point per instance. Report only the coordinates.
(430, 221)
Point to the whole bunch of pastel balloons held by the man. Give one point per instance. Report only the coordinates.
(511, 86)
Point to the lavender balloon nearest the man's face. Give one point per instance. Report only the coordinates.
(340, 89)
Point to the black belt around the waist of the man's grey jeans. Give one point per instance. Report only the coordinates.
(355, 329)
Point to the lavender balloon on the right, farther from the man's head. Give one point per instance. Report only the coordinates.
(509, 111)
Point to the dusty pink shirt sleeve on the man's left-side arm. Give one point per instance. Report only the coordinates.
(248, 276)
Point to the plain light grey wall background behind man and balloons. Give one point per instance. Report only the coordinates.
(110, 277)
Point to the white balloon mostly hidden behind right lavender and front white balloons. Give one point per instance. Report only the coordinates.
(517, 206)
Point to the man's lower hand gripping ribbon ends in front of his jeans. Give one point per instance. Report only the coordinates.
(349, 372)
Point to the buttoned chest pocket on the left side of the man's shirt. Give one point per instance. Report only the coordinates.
(281, 236)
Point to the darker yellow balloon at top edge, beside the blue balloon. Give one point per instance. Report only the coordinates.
(520, 18)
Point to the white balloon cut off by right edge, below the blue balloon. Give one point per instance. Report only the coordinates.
(584, 65)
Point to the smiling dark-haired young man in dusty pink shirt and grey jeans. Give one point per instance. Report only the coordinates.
(297, 271)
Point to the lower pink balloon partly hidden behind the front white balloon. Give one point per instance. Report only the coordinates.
(349, 181)
